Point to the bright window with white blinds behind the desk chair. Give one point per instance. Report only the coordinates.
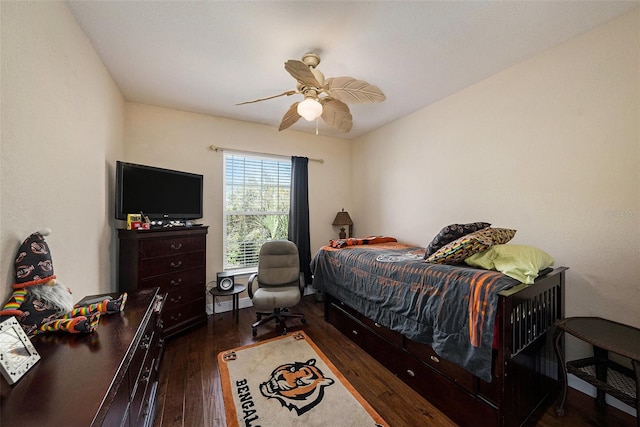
(256, 206)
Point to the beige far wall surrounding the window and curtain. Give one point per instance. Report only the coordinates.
(180, 140)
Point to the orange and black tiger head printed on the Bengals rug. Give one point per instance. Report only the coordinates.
(298, 386)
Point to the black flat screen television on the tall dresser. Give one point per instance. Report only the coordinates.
(161, 194)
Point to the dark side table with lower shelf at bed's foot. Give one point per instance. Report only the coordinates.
(607, 376)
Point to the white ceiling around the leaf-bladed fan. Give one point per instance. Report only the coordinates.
(207, 56)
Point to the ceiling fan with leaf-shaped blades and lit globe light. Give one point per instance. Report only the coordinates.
(326, 98)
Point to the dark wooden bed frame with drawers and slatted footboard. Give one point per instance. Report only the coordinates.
(524, 371)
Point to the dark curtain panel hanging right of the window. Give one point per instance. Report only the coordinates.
(299, 213)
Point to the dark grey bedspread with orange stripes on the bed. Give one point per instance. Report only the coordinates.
(451, 308)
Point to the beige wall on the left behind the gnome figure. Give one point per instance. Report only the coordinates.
(62, 125)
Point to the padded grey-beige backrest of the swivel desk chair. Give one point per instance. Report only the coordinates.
(278, 263)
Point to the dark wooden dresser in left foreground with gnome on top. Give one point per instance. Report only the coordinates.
(109, 377)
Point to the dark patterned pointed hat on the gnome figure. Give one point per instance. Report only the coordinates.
(33, 263)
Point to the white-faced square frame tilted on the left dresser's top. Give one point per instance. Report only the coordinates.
(17, 353)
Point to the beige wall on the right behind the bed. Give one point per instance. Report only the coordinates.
(550, 147)
